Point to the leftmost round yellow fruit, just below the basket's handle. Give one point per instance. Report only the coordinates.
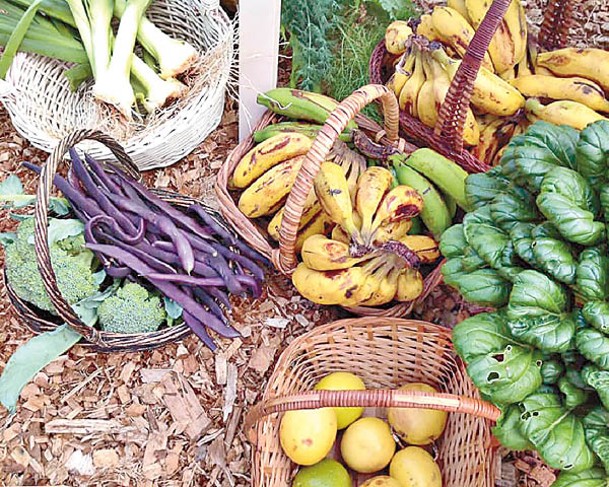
(307, 435)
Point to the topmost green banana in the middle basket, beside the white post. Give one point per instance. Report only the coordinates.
(300, 105)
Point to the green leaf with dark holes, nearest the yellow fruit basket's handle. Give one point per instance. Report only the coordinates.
(508, 376)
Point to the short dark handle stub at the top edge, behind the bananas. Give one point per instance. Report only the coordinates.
(558, 20)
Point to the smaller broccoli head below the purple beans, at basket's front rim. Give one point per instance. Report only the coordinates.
(131, 310)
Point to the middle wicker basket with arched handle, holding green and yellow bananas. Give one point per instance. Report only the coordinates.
(284, 258)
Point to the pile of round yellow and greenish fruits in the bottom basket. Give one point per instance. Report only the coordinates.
(366, 445)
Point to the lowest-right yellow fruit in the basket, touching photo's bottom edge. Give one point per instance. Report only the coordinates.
(414, 467)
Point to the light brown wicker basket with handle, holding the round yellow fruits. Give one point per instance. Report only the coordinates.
(386, 353)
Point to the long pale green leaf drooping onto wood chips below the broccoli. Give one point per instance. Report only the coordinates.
(30, 358)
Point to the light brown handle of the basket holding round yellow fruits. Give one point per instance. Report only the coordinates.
(383, 398)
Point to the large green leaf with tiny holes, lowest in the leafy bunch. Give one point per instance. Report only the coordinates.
(556, 433)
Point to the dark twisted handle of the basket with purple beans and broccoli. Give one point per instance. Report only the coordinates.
(42, 220)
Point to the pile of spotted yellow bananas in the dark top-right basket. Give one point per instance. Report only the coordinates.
(515, 86)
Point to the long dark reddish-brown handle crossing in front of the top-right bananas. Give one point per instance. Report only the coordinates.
(451, 118)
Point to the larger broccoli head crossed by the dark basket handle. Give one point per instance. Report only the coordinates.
(73, 269)
